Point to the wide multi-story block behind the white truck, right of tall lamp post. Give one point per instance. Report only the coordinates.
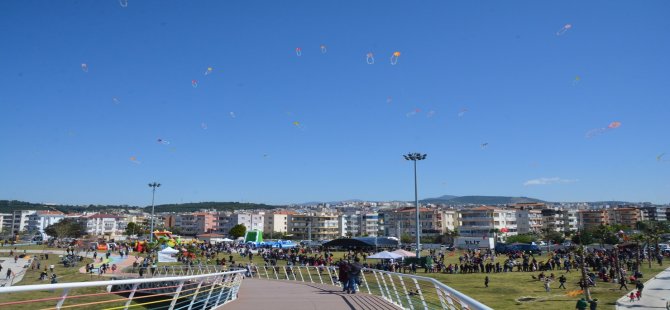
(484, 221)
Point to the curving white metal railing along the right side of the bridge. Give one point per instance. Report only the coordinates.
(406, 291)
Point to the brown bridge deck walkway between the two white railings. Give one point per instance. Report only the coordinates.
(279, 295)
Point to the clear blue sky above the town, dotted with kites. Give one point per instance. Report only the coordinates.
(64, 139)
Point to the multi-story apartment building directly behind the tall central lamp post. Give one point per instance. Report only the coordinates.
(402, 221)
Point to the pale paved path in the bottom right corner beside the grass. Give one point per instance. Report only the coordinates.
(655, 294)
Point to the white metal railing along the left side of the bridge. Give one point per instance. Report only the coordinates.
(206, 291)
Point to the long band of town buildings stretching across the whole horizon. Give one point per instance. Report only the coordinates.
(324, 221)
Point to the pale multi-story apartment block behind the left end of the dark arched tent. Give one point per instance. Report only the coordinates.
(318, 226)
